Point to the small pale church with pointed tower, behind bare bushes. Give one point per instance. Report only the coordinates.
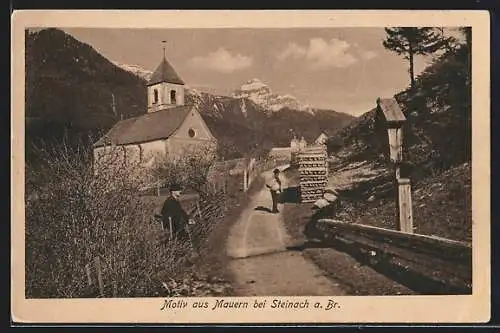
(168, 128)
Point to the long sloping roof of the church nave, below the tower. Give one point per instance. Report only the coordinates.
(148, 127)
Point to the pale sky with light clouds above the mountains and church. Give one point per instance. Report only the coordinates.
(344, 69)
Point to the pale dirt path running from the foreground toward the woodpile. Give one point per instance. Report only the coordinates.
(261, 264)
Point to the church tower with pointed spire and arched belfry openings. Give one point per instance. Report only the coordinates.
(165, 87)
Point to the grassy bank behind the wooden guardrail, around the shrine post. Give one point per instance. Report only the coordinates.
(442, 203)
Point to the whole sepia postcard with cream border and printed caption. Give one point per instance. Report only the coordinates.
(238, 168)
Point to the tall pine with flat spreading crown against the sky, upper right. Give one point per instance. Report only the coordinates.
(412, 41)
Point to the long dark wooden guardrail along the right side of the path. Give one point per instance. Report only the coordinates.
(433, 265)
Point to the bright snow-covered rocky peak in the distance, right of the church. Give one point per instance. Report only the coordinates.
(260, 93)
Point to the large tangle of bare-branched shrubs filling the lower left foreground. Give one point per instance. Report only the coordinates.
(75, 212)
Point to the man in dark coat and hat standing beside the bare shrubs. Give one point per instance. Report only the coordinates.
(174, 216)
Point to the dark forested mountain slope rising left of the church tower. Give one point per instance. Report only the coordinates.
(71, 88)
